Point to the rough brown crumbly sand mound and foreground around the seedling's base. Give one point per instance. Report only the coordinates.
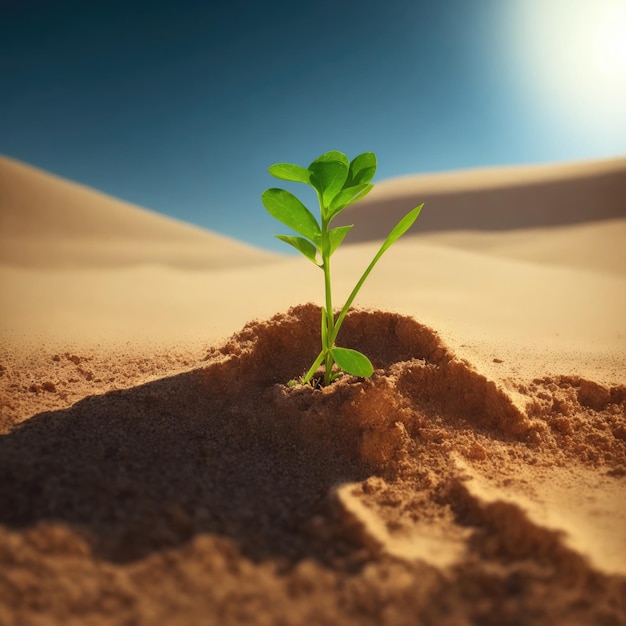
(426, 494)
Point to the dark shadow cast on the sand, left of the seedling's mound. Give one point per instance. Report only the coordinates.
(147, 468)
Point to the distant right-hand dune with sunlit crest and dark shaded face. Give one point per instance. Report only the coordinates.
(495, 199)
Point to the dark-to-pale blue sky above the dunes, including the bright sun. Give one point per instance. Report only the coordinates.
(181, 106)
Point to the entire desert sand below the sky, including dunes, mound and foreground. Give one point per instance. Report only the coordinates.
(156, 469)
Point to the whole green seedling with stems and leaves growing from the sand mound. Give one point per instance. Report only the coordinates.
(338, 183)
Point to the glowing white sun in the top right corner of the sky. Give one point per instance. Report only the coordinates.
(574, 57)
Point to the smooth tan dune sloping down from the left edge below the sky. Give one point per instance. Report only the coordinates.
(46, 221)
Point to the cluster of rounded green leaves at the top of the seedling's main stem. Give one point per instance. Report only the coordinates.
(338, 183)
